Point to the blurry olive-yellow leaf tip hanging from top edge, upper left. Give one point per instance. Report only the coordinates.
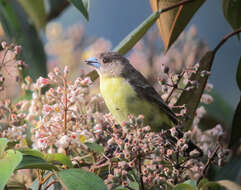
(35, 10)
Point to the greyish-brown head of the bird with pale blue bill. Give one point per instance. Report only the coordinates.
(108, 64)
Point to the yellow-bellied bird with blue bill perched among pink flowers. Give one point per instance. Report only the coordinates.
(127, 92)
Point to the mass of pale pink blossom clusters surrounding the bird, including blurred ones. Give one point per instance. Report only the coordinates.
(64, 115)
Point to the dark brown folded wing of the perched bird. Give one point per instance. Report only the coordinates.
(146, 91)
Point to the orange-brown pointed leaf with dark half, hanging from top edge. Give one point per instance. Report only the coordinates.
(173, 22)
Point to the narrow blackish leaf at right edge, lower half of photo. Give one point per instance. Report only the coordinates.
(236, 126)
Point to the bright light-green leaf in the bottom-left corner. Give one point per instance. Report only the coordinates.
(8, 162)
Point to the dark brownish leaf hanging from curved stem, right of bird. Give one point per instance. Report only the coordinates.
(191, 98)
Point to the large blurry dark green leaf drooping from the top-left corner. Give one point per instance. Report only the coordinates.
(16, 26)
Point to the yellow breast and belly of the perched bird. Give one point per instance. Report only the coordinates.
(122, 100)
